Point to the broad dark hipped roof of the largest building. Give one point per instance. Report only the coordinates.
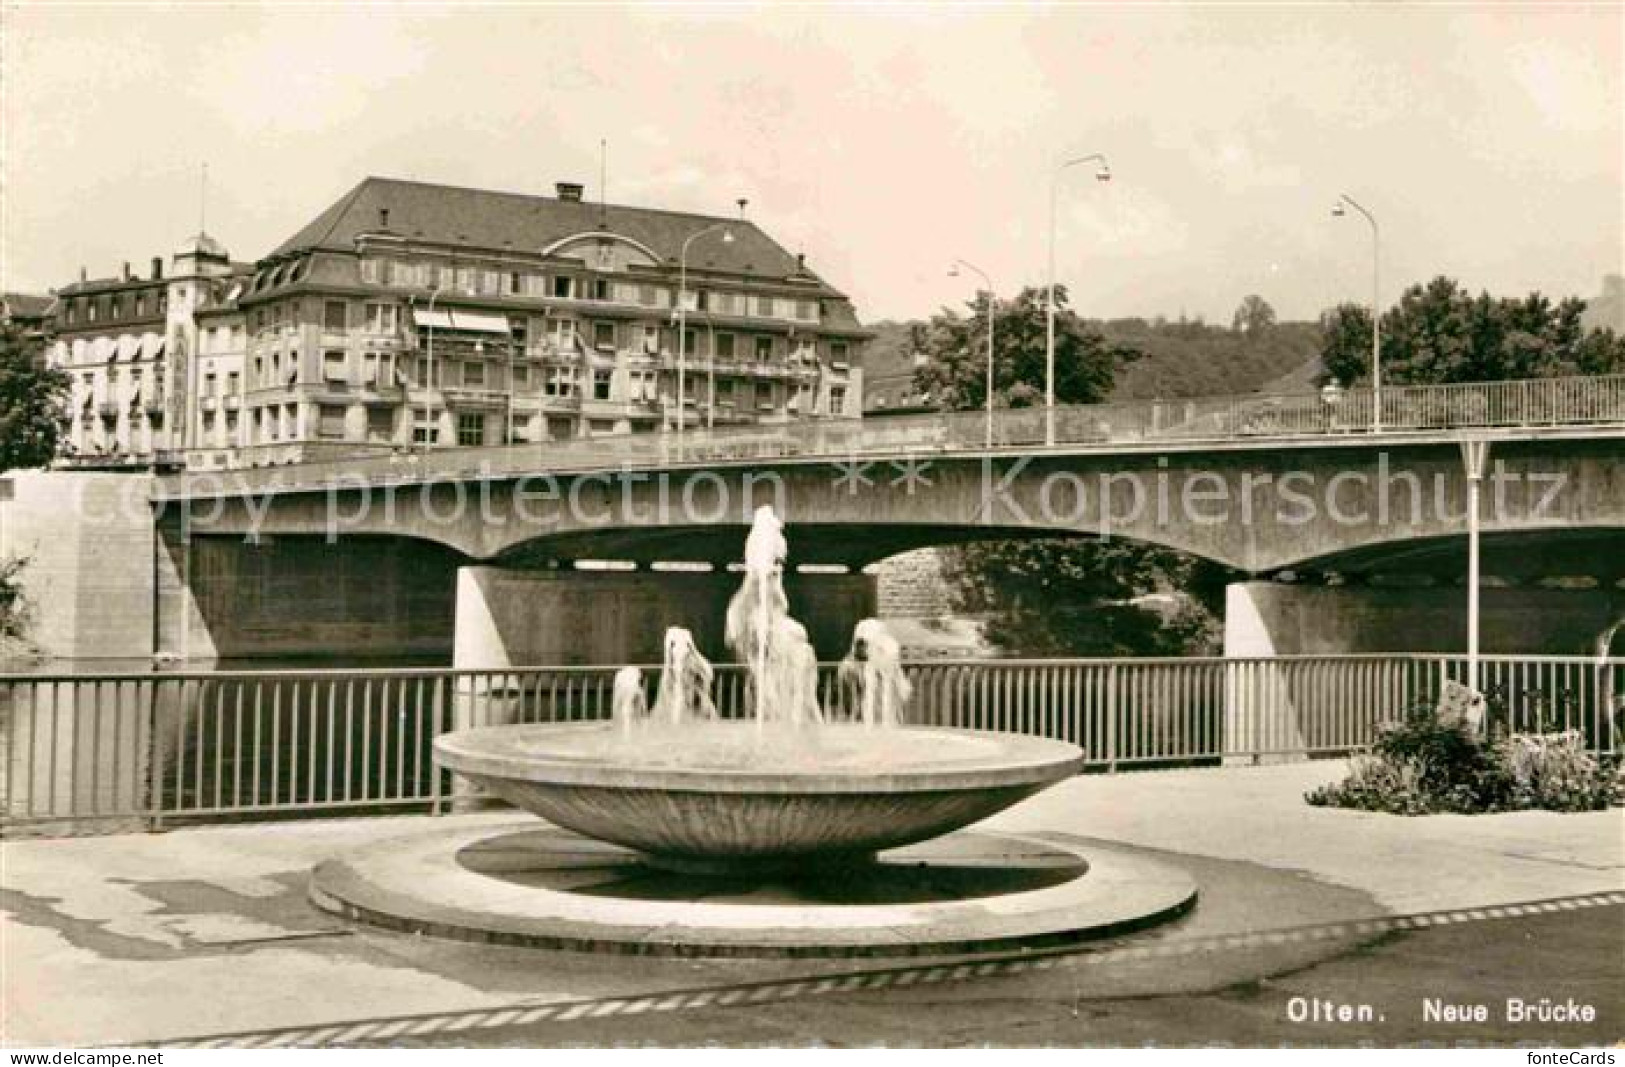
(495, 220)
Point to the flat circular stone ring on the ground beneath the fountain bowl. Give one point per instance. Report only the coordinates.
(521, 884)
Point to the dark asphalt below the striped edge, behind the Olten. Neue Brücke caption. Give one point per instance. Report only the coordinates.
(1567, 957)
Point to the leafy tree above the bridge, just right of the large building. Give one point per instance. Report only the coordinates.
(955, 374)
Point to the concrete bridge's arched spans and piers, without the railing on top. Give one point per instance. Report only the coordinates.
(1384, 514)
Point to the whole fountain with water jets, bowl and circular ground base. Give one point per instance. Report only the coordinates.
(838, 811)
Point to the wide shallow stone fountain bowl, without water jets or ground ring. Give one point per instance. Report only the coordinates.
(729, 797)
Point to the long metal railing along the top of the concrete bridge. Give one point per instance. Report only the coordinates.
(1408, 408)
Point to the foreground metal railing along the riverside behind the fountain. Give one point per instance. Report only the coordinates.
(137, 751)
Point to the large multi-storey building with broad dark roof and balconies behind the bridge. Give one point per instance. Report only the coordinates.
(428, 316)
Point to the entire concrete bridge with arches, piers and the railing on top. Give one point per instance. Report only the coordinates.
(1346, 522)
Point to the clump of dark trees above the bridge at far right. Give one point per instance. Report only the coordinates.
(1441, 334)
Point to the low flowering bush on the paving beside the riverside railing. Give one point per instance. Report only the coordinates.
(1423, 766)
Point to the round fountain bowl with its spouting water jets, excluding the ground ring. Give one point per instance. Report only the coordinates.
(789, 785)
